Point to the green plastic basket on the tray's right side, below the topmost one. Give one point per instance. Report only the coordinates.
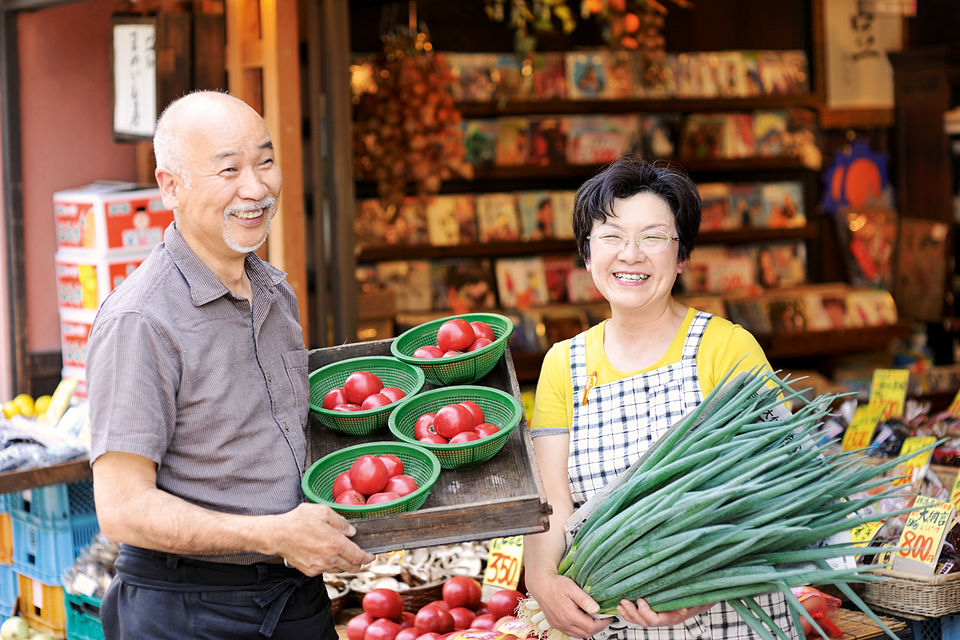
(499, 408)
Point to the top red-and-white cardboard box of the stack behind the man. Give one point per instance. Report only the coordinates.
(110, 216)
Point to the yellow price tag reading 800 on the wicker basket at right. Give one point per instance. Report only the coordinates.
(923, 533)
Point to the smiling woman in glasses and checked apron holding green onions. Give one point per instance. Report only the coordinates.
(609, 393)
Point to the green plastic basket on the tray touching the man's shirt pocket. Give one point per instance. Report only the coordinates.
(391, 371)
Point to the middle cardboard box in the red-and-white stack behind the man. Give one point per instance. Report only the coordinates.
(84, 279)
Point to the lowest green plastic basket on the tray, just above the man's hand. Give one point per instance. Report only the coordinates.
(418, 463)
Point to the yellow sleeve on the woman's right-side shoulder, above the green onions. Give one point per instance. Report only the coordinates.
(726, 346)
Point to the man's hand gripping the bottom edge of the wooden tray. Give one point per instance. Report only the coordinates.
(316, 540)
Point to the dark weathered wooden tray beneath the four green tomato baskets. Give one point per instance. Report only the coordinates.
(501, 497)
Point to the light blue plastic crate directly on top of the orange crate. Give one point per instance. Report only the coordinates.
(43, 553)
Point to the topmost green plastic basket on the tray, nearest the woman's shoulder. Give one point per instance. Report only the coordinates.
(463, 369)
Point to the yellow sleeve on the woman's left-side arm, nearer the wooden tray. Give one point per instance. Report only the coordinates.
(552, 406)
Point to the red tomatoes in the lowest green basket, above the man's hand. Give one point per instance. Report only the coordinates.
(373, 479)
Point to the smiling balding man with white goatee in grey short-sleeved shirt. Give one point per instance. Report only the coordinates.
(197, 376)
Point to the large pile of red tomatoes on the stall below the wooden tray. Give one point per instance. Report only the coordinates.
(383, 617)
